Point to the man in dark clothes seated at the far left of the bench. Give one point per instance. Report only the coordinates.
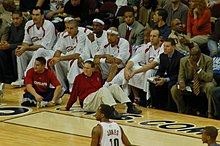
(8, 67)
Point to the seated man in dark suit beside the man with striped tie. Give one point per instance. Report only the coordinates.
(166, 76)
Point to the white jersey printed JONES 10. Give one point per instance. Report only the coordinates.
(111, 134)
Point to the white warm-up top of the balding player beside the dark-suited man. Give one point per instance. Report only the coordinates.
(146, 54)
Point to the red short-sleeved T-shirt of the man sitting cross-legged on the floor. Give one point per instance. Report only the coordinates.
(41, 82)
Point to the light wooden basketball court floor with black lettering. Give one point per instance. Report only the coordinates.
(49, 126)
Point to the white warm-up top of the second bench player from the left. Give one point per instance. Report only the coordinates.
(68, 45)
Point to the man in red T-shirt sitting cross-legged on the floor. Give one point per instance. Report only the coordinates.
(38, 91)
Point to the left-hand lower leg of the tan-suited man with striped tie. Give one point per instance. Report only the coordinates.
(178, 99)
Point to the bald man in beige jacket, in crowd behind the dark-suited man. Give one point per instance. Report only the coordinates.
(177, 33)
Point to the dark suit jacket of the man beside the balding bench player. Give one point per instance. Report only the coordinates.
(170, 67)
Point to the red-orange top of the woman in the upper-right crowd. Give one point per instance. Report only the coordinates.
(200, 26)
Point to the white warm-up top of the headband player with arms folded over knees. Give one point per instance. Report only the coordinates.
(120, 51)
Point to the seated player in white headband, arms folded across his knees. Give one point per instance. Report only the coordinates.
(113, 55)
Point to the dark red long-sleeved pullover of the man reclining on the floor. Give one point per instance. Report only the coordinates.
(83, 86)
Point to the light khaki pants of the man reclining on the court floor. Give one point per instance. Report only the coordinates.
(105, 96)
